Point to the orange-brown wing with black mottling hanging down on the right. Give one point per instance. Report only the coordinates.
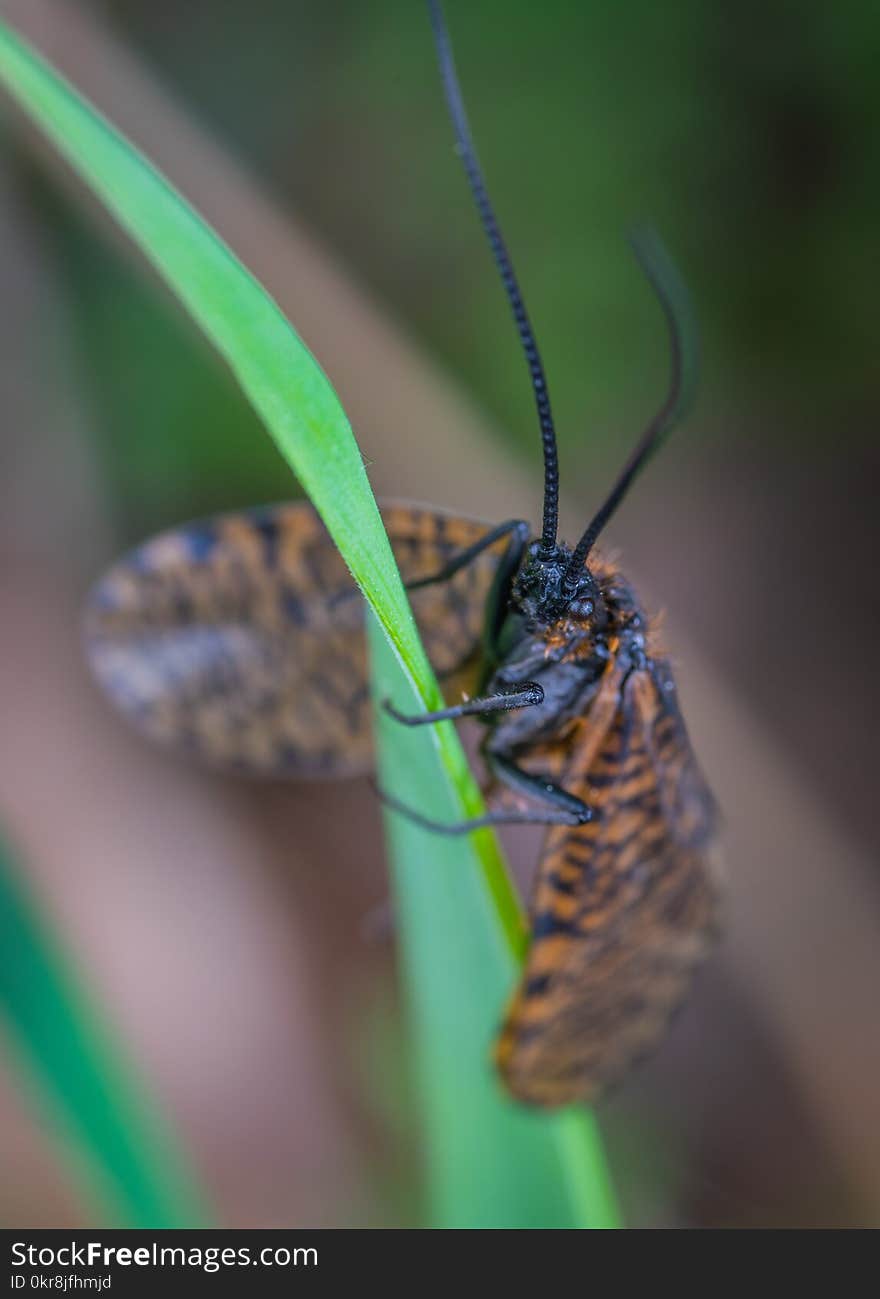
(625, 907)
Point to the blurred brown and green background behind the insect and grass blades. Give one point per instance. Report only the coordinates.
(222, 926)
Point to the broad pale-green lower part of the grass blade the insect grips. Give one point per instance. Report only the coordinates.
(492, 1165)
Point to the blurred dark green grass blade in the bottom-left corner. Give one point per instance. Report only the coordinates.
(114, 1136)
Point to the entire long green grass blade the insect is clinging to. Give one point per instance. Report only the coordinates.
(479, 915)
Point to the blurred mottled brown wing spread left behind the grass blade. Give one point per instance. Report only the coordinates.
(241, 640)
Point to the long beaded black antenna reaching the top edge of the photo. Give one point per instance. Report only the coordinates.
(469, 155)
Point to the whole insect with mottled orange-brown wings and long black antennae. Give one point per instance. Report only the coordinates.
(240, 641)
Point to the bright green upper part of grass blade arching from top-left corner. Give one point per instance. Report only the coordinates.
(276, 371)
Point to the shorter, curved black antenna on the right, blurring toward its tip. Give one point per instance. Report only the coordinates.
(675, 302)
